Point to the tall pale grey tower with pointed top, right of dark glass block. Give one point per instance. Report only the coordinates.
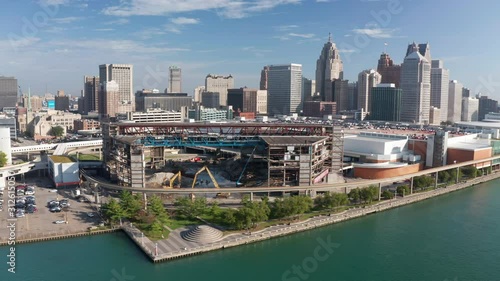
(416, 86)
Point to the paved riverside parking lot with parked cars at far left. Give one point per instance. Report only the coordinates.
(72, 219)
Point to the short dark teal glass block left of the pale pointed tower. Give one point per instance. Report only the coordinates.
(386, 103)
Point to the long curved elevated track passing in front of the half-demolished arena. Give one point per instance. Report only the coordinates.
(319, 187)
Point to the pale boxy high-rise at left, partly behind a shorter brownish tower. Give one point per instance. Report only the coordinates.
(122, 74)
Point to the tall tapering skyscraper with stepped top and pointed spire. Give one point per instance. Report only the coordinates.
(328, 68)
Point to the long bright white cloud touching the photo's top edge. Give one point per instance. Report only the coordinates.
(224, 8)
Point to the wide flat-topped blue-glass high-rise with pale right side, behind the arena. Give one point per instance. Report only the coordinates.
(284, 92)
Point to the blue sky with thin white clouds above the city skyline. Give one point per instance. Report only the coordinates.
(54, 43)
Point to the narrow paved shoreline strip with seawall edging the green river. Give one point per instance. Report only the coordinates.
(148, 246)
